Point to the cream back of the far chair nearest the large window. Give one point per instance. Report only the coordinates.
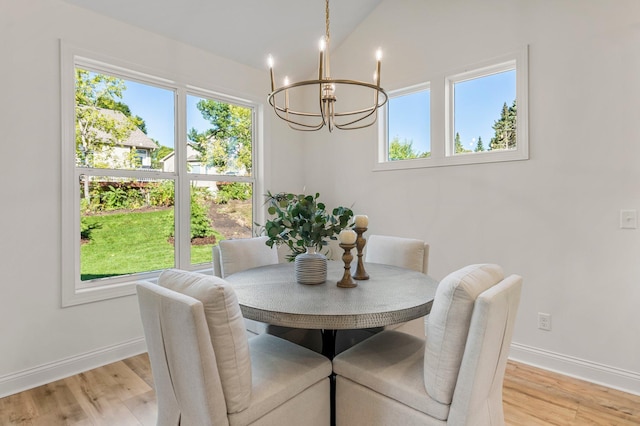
(243, 253)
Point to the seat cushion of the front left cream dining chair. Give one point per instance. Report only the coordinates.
(280, 370)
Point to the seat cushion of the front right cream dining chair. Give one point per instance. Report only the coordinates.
(391, 363)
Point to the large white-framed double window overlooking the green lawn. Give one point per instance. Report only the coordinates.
(155, 174)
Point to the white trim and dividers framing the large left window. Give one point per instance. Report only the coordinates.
(74, 291)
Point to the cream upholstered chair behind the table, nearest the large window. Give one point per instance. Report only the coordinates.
(236, 255)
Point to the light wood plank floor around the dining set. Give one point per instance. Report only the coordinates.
(121, 394)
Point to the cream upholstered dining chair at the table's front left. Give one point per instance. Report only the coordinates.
(206, 371)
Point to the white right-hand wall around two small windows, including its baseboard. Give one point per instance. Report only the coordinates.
(554, 218)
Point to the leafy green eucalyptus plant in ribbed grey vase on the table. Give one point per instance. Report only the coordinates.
(302, 223)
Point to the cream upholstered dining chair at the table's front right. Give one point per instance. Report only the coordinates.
(454, 377)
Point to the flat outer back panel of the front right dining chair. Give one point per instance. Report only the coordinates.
(477, 399)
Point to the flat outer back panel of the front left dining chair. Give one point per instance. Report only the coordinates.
(185, 373)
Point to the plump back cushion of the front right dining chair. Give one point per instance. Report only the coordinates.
(448, 326)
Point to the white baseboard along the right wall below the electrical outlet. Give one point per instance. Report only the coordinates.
(616, 378)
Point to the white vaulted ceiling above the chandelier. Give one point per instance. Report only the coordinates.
(246, 31)
